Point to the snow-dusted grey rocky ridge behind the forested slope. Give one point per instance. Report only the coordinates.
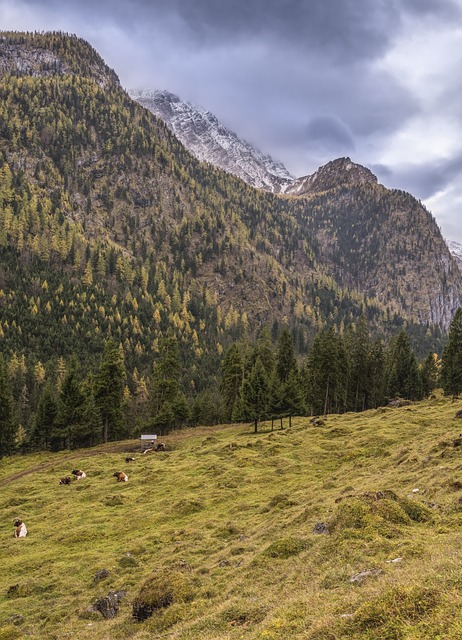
(210, 141)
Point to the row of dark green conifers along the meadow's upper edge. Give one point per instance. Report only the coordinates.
(260, 380)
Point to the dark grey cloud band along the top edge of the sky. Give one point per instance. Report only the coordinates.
(346, 30)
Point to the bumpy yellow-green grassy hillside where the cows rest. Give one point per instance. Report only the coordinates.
(227, 518)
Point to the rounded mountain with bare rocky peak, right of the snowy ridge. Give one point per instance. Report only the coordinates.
(382, 242)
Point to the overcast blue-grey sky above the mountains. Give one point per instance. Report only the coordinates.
(306, 81)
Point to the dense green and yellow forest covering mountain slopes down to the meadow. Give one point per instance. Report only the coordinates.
(119, 249)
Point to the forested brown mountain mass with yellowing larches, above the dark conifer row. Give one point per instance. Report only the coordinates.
(110, 227)
